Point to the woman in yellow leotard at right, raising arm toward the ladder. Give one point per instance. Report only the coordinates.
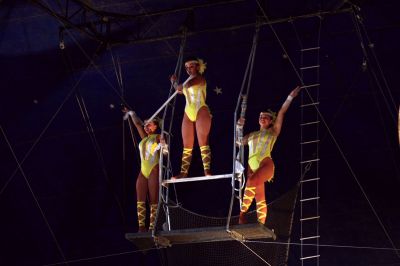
(261, 166)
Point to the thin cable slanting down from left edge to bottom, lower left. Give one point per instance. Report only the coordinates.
(34, 197)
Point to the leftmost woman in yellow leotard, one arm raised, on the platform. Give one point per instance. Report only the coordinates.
(147, 180)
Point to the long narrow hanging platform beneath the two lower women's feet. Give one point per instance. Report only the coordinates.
(240, 232)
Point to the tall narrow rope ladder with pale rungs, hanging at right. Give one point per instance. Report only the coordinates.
(309, 144)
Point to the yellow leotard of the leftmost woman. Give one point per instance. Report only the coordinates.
(149, 154)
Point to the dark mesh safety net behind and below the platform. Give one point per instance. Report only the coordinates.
(280, 213)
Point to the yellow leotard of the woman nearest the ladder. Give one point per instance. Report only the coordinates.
(260, 144)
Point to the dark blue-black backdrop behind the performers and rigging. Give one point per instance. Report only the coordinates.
(82, 194)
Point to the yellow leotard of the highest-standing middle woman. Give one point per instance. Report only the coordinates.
(195, 99)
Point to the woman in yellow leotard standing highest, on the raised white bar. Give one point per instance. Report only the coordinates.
(197, 116)
